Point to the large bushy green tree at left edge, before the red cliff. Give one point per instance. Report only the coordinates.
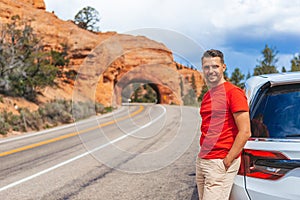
(24, 66)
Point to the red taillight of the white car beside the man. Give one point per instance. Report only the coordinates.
(262, 164)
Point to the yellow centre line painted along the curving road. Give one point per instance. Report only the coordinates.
(31, 146)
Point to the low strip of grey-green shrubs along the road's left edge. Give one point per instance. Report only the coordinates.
(49, 115)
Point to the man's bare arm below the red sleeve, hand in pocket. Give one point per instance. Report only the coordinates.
(242, 121)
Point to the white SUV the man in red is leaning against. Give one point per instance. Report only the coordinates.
(270, 168)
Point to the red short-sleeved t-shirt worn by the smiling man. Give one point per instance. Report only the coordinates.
(218, 126)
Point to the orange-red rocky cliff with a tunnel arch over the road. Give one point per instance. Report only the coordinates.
(105, 62)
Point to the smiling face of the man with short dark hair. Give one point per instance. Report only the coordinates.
(213, 70)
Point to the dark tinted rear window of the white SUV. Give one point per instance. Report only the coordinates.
(277, 113)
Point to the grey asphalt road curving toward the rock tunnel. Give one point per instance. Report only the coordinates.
(137, 152)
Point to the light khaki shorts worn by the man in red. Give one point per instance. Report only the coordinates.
(213, 181)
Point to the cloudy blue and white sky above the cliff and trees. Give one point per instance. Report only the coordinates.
(239, 28)
